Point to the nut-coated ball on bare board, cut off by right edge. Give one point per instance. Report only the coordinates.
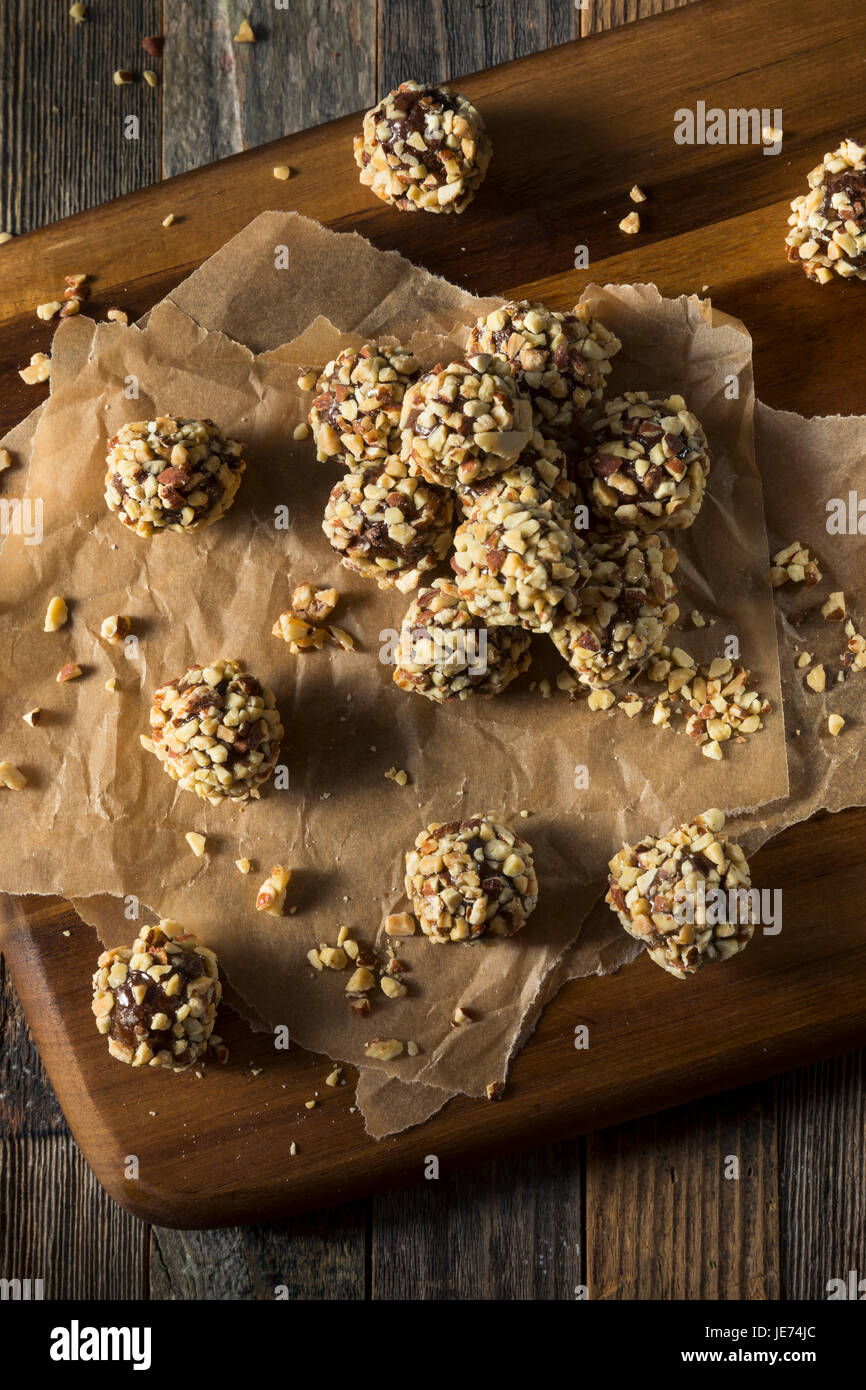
(829, 223)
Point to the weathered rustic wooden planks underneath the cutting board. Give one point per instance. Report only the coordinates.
(642, 1211)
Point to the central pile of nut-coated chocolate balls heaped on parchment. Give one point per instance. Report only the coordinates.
(500, 459)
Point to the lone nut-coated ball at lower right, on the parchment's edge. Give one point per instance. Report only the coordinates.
(678, 894)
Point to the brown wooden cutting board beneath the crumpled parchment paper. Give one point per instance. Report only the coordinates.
(573, 130)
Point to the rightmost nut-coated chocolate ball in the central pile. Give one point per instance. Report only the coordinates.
(650, 464)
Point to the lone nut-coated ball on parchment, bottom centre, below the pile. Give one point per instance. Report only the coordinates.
(471, 879)
